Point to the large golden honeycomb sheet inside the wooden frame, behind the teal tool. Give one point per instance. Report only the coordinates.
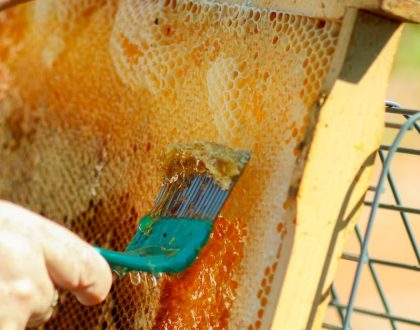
(91, 94)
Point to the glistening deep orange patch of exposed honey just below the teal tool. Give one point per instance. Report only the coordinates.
(203, 295)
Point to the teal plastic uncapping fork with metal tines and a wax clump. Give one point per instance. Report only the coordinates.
(199, 177)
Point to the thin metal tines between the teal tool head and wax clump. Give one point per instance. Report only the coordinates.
(196, 196)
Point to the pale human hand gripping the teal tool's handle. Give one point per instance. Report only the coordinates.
(37, 255)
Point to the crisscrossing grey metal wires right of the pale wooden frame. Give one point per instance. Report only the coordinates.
(386, 154)
